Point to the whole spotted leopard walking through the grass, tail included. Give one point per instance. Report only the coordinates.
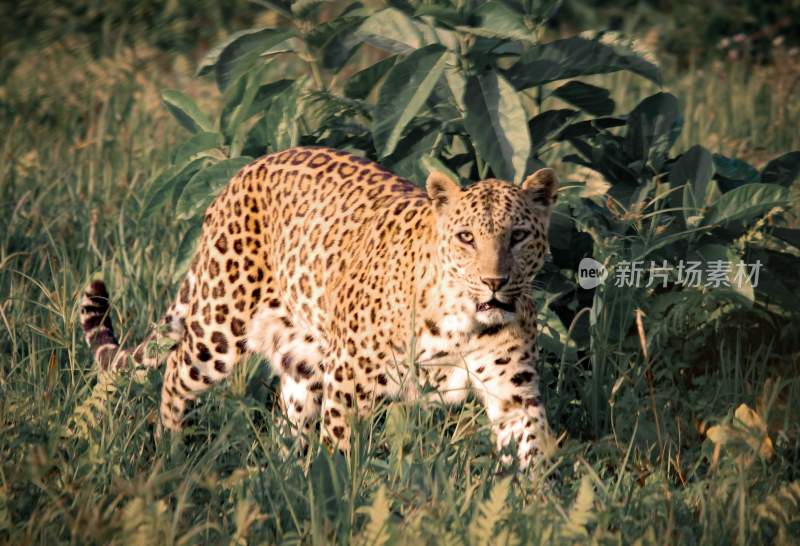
(358, 287)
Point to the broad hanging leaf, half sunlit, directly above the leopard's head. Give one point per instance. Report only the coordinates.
(497, 124)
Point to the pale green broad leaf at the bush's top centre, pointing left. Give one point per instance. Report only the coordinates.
(394, 31)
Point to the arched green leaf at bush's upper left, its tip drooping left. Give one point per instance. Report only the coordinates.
(239, 55)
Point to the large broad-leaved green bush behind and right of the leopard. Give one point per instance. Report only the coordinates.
(462, 87)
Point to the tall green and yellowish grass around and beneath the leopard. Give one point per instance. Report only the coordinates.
(78, 462)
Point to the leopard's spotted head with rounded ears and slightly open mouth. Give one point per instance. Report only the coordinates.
(492, 239)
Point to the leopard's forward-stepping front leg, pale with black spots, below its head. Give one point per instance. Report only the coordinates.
(505, 379)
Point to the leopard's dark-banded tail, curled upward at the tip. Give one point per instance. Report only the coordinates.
(99, 333)
